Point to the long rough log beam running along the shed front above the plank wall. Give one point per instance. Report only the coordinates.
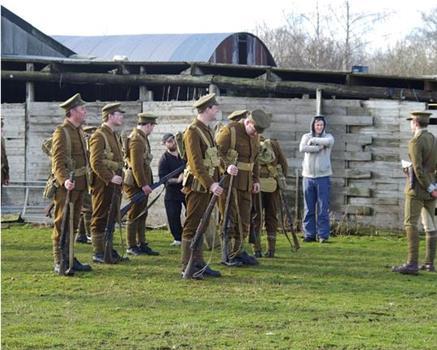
(233, 83)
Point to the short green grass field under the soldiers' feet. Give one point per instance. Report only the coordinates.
(335, 296)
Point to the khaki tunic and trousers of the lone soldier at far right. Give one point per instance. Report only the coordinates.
(422, 150)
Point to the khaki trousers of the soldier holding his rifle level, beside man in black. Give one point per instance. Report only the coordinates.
(136, 229)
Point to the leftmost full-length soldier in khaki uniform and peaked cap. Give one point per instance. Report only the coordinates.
(69, 155)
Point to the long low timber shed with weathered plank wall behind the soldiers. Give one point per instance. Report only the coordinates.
(366, 114)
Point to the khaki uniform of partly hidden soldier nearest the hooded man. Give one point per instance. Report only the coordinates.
(270, 201)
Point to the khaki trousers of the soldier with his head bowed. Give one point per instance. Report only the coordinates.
(239, 217)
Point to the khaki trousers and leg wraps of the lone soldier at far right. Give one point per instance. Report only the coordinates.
(413, 209)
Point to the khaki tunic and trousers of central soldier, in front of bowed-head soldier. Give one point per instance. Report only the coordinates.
(201, 172)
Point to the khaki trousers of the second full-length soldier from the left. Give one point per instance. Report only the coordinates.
(102, 197)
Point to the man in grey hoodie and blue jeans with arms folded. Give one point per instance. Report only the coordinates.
(316, 171)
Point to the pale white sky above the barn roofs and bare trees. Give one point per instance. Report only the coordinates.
(88, 17)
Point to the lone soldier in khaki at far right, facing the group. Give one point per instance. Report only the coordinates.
(420, 194)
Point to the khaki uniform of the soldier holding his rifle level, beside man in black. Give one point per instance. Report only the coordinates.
(138, 175)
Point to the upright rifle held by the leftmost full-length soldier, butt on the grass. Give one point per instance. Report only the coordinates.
(66, 226)
